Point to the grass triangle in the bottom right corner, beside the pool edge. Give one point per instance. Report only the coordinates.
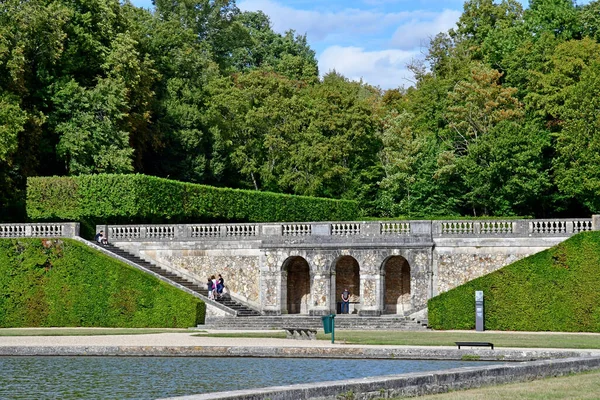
(581, 386)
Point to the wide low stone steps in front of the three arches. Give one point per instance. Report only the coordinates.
(348, 322)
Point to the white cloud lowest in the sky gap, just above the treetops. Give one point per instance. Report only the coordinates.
(386, 68)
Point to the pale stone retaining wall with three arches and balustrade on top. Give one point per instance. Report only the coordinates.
(391, 267)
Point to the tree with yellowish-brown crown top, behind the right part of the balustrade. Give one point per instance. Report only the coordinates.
(501, 166)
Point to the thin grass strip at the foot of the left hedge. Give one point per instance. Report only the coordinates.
(83, 331)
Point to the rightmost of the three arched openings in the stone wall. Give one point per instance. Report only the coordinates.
(396, 299)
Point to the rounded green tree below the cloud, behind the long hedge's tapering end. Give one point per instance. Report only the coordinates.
(334, 152)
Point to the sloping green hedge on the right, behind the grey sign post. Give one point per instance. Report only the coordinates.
(554, 290)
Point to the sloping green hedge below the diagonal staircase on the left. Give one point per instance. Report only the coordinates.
(64, 283)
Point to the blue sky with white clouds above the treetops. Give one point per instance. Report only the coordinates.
(372, 40)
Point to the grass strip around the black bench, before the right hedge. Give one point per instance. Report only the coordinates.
(443, 338)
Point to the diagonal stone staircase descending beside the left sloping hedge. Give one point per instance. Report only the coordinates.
(240, 309)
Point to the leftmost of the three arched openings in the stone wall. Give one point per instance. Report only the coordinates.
(298, 285)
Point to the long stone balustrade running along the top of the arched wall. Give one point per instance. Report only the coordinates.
(371, 229)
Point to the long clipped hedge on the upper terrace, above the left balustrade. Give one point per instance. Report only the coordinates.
(140, 198)
